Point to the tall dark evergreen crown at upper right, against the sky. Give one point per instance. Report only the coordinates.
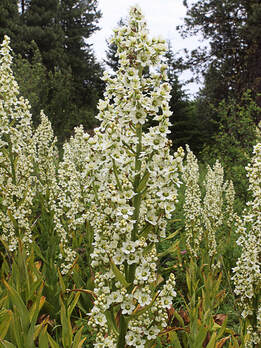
(233, 29)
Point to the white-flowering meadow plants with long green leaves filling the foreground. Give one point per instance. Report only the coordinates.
(120, 241)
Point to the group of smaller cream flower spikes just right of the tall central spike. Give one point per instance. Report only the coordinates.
(204, 216)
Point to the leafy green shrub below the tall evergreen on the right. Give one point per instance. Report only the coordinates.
(233, 142)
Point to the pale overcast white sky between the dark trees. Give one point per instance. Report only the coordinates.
(162, 17)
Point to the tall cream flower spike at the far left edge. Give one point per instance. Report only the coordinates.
(17, 151)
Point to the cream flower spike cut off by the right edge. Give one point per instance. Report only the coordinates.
(247, 273)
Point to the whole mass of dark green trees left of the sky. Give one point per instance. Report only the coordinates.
(55, 66)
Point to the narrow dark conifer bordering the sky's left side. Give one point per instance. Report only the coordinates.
(79, 21)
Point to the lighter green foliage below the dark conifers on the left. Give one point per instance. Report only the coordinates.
(54, 92)
